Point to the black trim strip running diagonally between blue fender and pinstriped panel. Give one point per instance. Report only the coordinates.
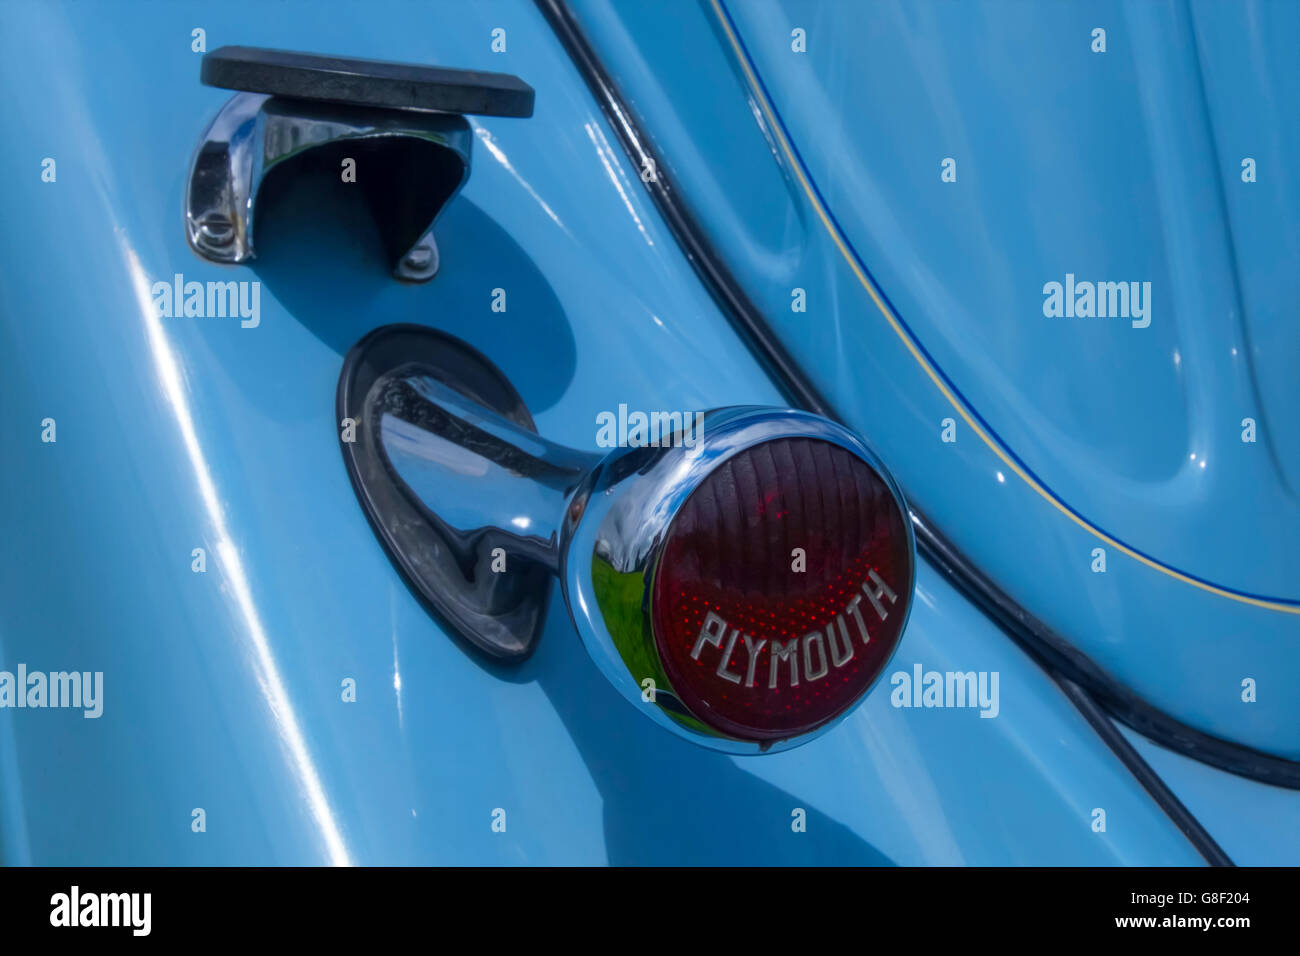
(1051, 651)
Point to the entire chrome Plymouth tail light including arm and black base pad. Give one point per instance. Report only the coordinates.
(743, 582)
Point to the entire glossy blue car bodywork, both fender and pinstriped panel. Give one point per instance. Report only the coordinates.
(223, 689)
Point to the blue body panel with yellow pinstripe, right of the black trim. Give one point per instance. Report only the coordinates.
(818, 175)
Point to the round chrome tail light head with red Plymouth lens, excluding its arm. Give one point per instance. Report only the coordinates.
(747, 592)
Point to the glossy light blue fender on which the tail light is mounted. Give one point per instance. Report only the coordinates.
(223, 691)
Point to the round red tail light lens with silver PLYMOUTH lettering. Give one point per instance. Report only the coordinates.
(757, 642)
